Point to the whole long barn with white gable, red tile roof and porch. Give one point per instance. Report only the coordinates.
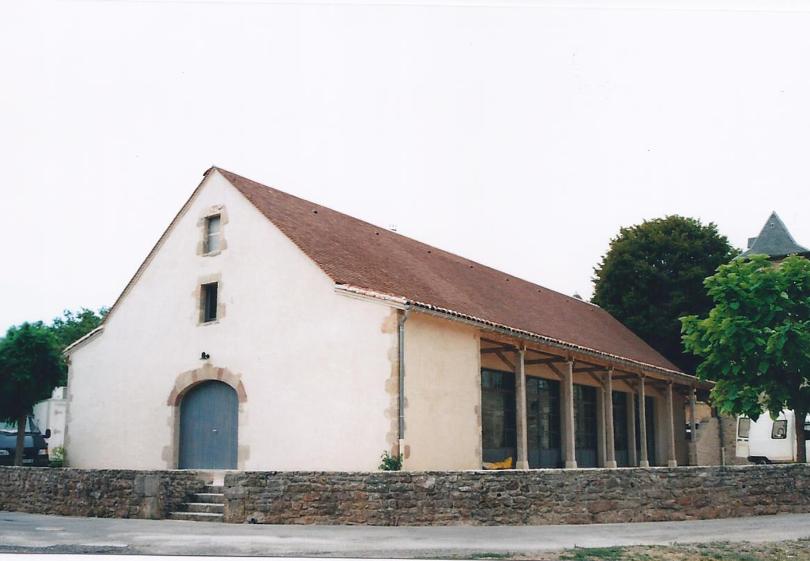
(266, 332)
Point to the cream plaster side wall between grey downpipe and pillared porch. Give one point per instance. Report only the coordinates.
(442, 395)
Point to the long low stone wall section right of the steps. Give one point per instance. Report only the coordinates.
(512, 497)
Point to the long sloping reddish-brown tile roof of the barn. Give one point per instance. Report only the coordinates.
(360, 254)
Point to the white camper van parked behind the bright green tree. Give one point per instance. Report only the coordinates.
(768, 441)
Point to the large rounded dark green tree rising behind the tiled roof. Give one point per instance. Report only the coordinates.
(653, 274)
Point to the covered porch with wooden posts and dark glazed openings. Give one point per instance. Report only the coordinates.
(549, 407)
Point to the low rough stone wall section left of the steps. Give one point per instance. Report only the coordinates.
(101, 493)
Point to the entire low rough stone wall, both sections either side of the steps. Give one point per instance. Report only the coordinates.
(423, 498)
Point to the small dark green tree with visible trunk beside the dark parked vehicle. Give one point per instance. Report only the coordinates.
(30, 367)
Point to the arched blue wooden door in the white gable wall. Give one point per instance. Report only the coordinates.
(208, 427)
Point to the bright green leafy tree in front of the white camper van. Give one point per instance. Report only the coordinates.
(755, 341)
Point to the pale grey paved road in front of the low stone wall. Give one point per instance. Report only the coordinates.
(58, 534)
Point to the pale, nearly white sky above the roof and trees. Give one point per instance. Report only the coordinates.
(522, 135)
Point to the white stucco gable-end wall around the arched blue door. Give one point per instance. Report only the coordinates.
(315, 365)
